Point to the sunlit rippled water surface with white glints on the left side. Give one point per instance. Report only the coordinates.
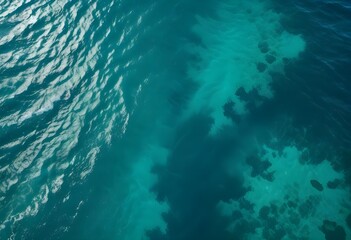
(57, 93)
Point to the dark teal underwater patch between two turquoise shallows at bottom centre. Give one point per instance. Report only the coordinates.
(194, 180)
